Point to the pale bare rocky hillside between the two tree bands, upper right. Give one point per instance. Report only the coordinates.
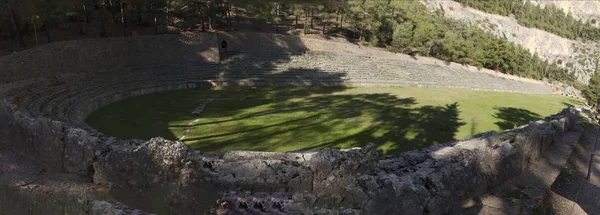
(577, 56)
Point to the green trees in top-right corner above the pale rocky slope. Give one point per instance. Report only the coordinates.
(550, 18)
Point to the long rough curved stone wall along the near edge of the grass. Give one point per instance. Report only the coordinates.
(433, 180)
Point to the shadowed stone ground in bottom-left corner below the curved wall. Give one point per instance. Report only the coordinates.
(26, 187)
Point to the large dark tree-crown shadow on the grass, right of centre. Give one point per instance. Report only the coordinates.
(399, 129)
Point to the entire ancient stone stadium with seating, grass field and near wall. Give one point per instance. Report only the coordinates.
(59, 157)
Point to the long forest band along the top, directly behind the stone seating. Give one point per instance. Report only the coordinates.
(400, 26)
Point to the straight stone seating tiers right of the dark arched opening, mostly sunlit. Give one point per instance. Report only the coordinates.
(363, 70)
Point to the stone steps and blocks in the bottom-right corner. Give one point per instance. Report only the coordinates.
(555, 184)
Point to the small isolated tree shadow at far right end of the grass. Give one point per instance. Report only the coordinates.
(512, 117)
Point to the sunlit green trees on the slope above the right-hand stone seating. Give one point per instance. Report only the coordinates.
(406, 26)
